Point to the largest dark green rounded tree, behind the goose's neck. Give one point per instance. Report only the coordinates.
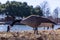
(18, 9)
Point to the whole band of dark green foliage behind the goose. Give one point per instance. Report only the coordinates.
(14, 8)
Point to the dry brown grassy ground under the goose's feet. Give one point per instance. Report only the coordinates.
(29, 35)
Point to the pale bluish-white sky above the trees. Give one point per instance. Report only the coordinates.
(51, 3)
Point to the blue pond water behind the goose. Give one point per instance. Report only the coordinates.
(23, 28)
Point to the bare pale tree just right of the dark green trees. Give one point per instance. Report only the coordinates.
(45, 8)
